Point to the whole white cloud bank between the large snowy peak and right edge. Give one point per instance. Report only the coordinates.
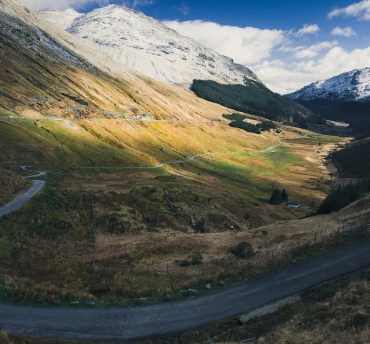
(300, 64)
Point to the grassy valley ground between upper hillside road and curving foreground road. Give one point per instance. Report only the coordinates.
(151, 216)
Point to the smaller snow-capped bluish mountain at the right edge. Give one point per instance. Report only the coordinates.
(351, 86)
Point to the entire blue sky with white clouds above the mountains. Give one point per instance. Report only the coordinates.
(287, 43)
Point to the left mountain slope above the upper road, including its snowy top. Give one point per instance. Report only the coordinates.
(46, 71)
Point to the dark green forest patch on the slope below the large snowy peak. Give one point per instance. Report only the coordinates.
(255, 98)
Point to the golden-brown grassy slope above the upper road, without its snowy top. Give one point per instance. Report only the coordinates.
(35, 87)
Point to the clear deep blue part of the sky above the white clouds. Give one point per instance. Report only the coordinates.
(263, 14)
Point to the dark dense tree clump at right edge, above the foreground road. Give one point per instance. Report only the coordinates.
(343, 195)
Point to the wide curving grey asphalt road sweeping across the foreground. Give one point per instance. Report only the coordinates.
(126, 324)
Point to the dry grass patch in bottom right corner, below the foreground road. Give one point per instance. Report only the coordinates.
(342, 319)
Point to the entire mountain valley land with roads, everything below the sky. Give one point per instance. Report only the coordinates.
(128, 180)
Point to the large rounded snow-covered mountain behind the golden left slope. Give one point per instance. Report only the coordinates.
(145, 46)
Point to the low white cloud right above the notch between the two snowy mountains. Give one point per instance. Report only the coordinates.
(283, 78)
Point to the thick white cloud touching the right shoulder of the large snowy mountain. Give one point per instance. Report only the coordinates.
(245, 45)
